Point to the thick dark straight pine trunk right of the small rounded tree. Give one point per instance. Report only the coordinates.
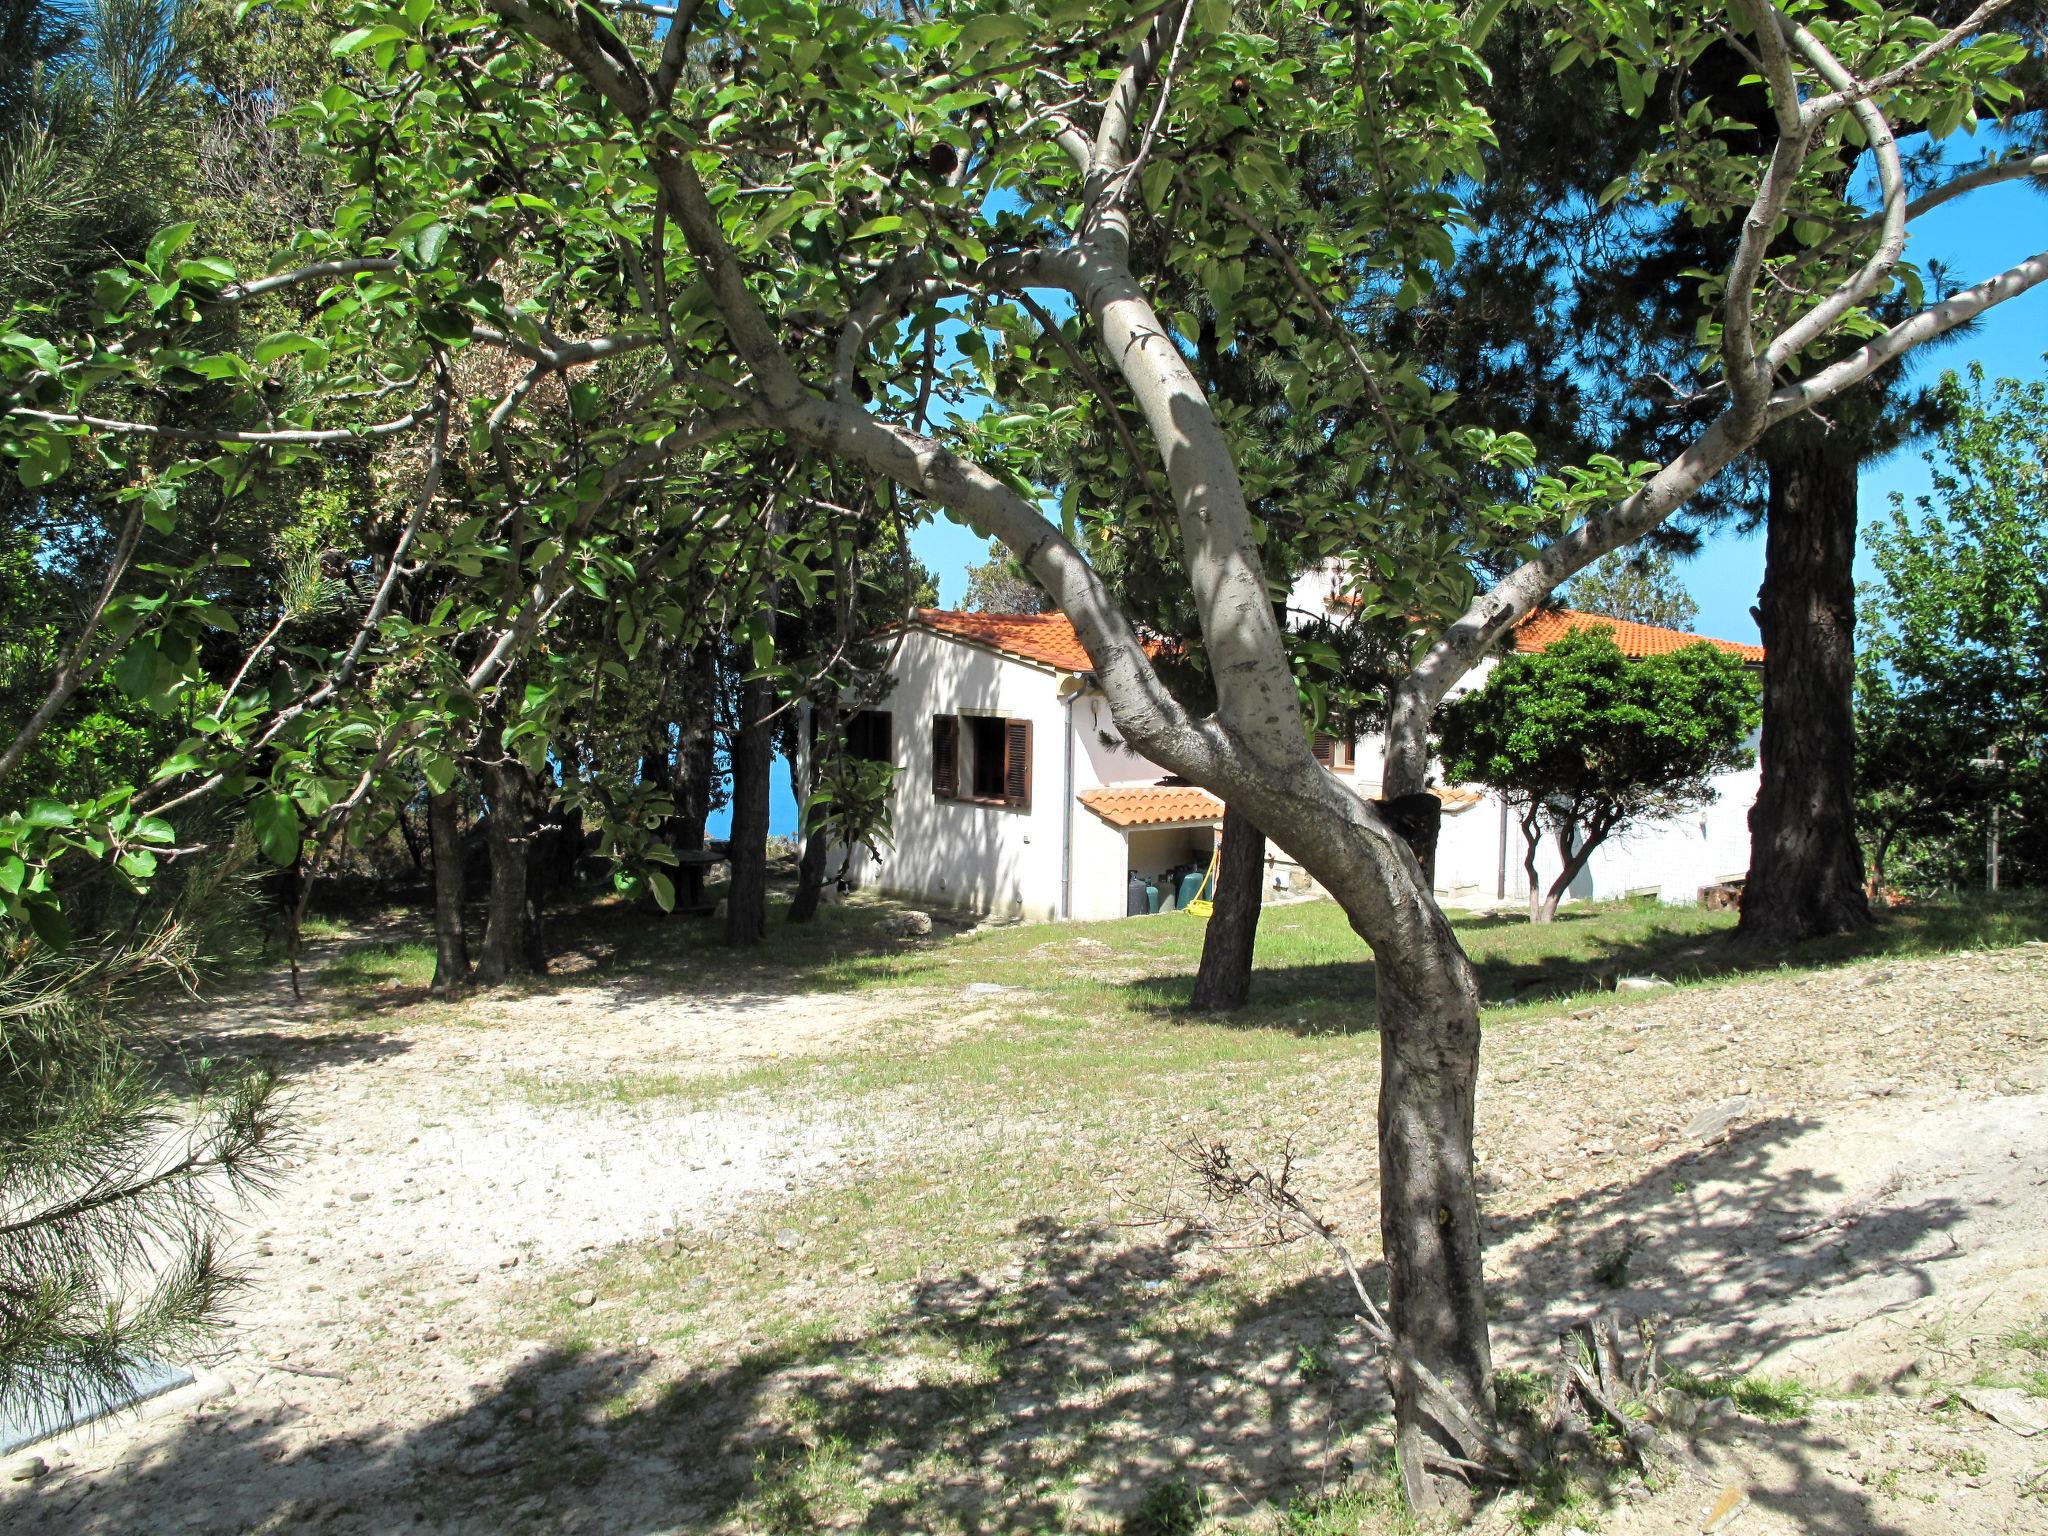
(1805, 867)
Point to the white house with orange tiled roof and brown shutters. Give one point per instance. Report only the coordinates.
(1015, 796)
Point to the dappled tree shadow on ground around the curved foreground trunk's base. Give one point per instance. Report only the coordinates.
(1076, 1381)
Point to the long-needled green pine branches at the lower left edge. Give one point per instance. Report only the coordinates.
(116, 1177)
